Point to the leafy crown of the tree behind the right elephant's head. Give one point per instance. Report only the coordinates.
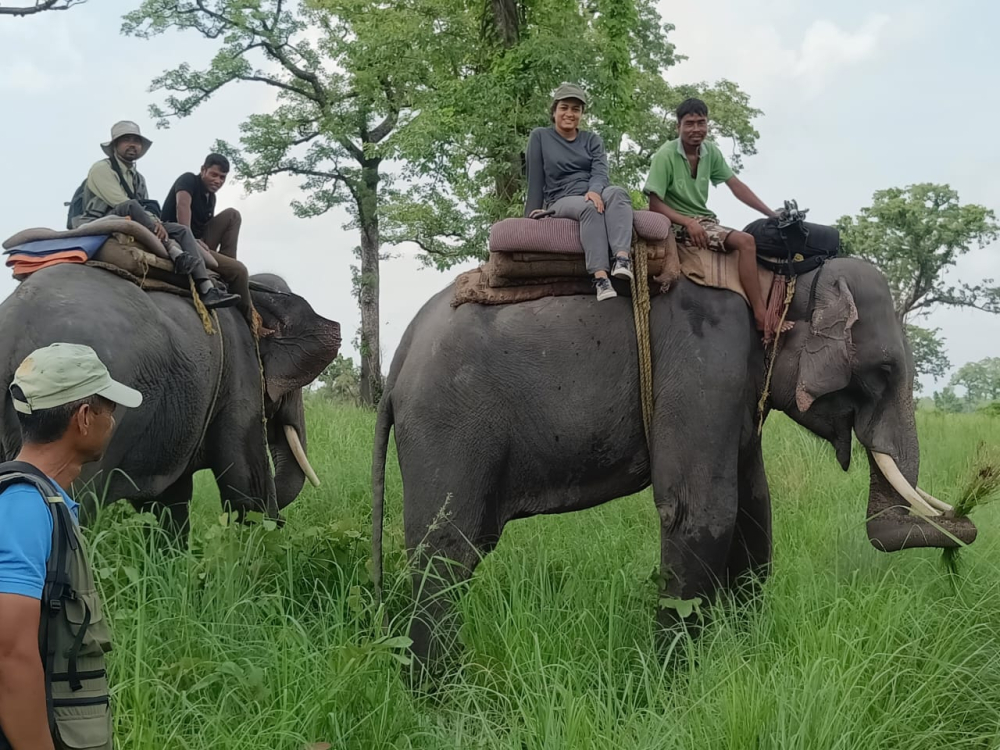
(915, 235)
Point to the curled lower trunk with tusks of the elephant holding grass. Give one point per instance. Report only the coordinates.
(900, 514)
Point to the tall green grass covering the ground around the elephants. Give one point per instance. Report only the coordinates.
(260, 639)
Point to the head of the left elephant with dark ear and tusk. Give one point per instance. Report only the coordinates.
(302, 345)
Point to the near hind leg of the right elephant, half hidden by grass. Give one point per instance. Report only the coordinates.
(446, 544)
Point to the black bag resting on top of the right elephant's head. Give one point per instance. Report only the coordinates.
(789, 245)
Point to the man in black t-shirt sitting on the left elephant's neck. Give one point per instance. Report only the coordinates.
(191, 202)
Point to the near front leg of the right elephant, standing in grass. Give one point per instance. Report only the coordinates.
(695, 491)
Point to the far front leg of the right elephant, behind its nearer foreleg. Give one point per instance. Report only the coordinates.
(750, 554)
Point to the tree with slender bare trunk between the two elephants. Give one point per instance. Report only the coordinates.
(342, 90)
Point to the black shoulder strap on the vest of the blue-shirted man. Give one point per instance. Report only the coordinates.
(58, 586)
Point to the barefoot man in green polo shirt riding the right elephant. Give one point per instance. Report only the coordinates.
(677, 187)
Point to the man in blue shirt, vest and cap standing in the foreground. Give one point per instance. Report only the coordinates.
(53, 635)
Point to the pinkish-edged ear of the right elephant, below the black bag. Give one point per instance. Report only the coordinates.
(825, 360)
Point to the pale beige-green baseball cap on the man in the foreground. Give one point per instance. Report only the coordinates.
(63, 373)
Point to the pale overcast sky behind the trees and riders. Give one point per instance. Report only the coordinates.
(857, 96)
